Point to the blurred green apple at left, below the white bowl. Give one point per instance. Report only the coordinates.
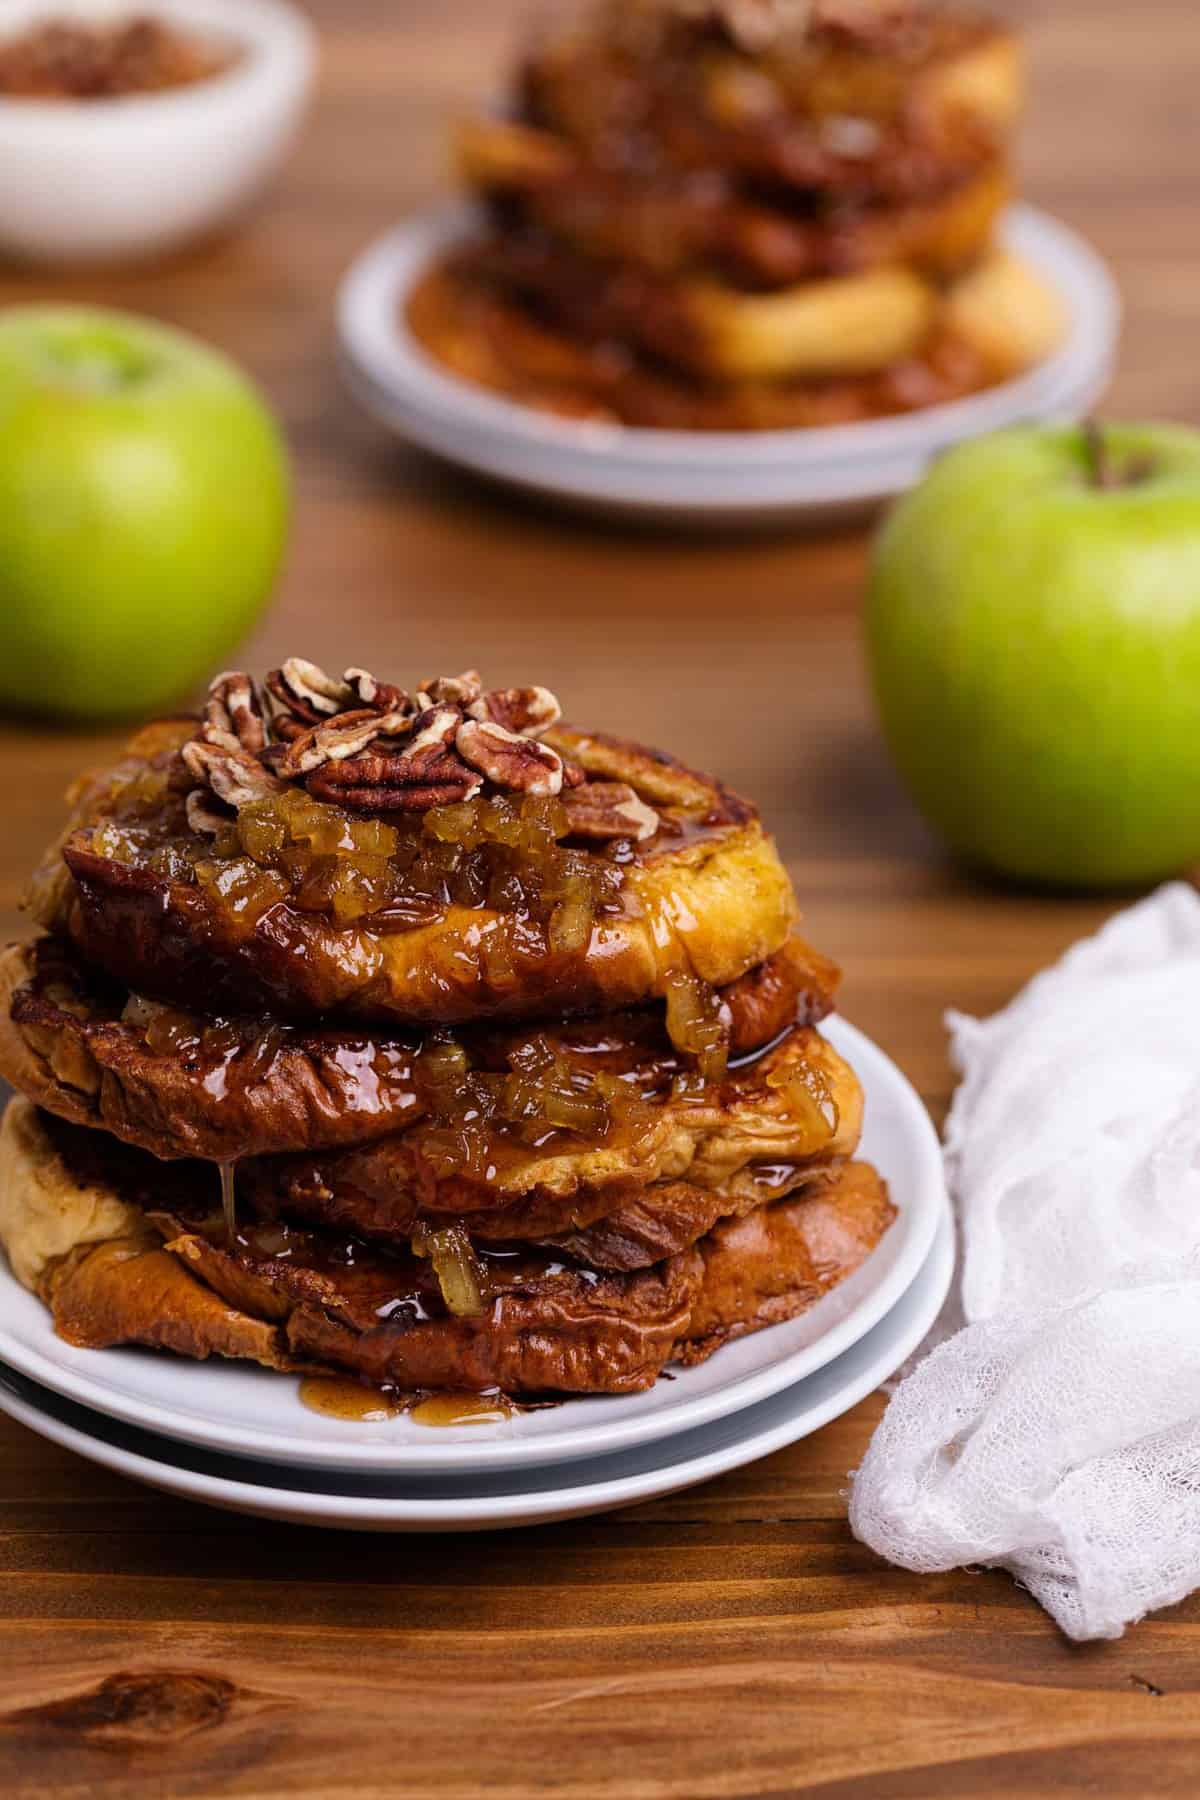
(143, 510)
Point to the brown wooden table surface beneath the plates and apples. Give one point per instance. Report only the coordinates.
(733, 1641)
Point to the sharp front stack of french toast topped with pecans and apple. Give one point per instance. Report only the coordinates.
(422, 1041)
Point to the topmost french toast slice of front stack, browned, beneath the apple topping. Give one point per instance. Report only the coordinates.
(706, 895)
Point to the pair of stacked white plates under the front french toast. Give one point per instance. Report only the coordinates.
(240, 1437)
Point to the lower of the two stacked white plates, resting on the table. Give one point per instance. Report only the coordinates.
(523, 1497)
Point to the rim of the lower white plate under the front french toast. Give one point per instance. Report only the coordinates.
(866, 1367)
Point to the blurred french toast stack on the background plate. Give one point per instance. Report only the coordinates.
(744, 215)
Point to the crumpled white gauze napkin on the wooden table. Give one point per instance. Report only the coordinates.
(1059, 1434)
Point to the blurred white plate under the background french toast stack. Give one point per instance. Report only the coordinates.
(701, 476)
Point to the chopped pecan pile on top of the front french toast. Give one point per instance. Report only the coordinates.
(341, 737)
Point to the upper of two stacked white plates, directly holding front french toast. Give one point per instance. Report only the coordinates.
(235, 1407)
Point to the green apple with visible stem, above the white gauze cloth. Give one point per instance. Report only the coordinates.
(1034, 625)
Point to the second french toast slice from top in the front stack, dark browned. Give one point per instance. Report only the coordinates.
(181, 1086)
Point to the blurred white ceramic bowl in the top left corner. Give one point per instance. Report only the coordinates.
(129, 177)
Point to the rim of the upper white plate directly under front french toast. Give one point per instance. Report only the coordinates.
(886, 1090)
